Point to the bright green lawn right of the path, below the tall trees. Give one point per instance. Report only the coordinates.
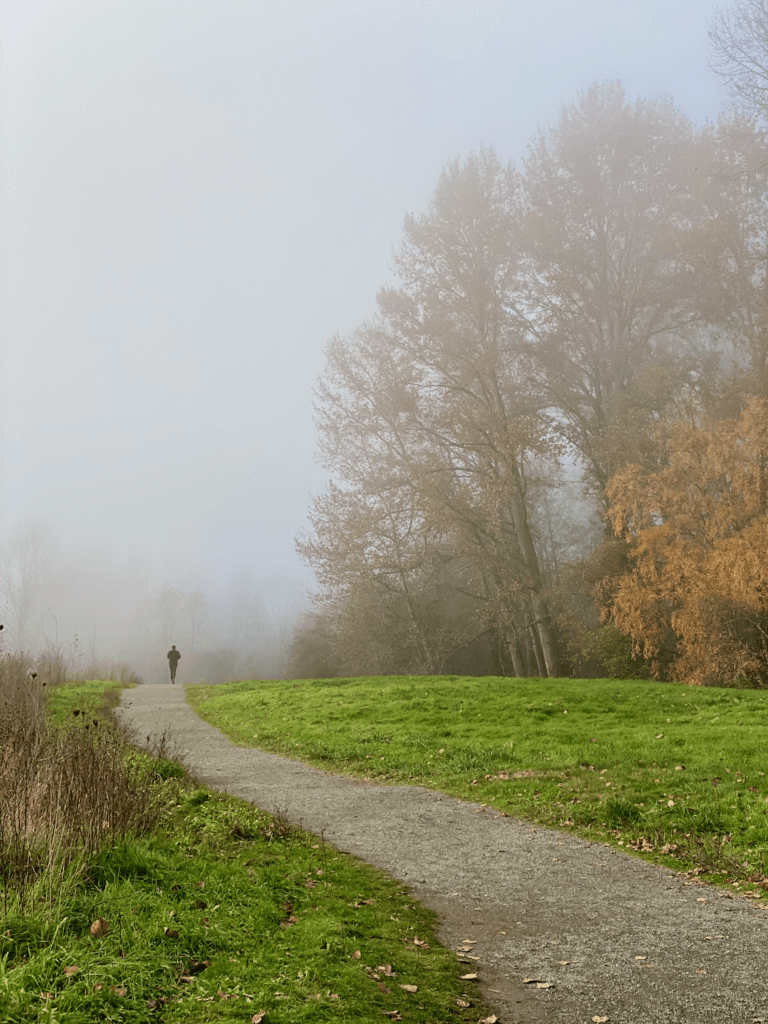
(675, 774)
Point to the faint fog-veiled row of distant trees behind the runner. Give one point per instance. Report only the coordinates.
(77, 616)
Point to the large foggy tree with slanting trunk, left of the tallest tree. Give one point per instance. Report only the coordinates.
(430, 422)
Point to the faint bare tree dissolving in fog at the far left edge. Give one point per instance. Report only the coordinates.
(28, 571)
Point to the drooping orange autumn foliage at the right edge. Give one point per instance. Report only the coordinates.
(695, 599)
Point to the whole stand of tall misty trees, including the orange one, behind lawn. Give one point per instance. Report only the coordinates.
(548, 450)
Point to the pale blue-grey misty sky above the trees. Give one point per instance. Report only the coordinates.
(196, 196)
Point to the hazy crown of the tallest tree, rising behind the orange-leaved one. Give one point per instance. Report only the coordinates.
(611, 239)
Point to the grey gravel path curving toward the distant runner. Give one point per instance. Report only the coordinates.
(618, 937)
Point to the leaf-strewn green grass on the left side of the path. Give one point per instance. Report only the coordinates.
(221, 914)
